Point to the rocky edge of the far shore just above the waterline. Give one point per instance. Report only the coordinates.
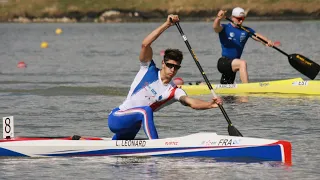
(127, 17)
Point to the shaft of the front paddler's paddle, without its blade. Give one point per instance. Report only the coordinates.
(202, 72)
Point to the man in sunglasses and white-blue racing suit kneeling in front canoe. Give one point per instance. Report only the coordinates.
(151, 90)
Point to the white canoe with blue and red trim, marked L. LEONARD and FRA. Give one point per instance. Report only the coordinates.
(221, 148)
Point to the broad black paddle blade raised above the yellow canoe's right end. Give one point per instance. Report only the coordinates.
(304, 65)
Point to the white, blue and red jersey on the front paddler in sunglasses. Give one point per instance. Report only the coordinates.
(147, 89)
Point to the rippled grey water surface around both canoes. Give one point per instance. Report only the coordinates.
(70, 87)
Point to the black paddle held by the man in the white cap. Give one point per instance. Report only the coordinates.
(301, 63)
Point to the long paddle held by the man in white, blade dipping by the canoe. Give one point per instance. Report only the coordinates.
(231, 129)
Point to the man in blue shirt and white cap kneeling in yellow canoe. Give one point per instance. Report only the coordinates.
(233, 40)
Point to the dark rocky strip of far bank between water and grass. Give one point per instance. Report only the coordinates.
(123, 16)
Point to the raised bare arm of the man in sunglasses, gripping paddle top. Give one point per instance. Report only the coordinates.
(146, 50)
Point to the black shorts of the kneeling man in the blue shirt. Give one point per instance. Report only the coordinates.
(225, 68)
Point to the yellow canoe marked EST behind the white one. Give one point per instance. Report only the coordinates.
(288, 86)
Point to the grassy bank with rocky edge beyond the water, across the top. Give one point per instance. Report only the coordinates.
(102, 11)
